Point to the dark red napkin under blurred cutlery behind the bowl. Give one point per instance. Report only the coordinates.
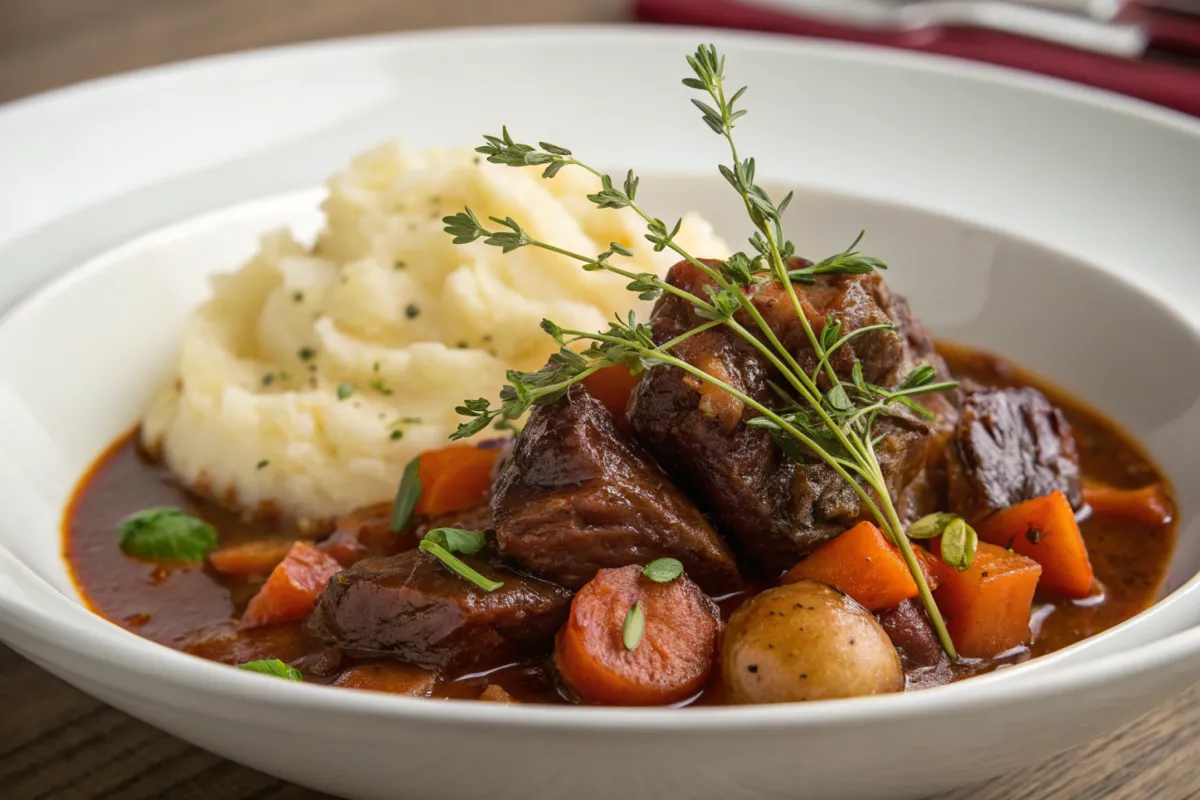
(1175, 86)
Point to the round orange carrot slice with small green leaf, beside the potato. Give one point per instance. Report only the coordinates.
(670, 663)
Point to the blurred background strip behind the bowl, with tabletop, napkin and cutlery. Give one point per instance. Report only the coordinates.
(1144, 49)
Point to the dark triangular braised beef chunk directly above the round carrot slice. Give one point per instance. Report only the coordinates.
(579, 496)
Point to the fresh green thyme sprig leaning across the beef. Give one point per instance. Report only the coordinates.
(820, 417)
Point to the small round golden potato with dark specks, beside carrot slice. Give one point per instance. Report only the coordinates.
(807, 642)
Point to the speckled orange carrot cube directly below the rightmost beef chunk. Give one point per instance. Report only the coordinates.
(1046, 531)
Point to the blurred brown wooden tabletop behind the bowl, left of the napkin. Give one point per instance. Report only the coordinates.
(50, 44)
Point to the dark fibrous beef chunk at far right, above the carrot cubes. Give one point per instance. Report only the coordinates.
(1010, 446)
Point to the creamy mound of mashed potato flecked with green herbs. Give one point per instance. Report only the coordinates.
(313, 376)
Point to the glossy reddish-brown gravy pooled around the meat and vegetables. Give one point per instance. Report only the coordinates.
(195, 609)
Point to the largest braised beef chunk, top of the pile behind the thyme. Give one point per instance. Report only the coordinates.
(772, 509)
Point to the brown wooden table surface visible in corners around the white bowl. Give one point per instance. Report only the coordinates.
(57, 742)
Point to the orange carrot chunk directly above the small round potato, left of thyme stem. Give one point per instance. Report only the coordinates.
(863, 564)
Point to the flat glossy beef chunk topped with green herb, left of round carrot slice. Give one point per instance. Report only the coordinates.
(412, 609)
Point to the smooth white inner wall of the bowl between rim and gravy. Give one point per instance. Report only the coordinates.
(81, 360)
